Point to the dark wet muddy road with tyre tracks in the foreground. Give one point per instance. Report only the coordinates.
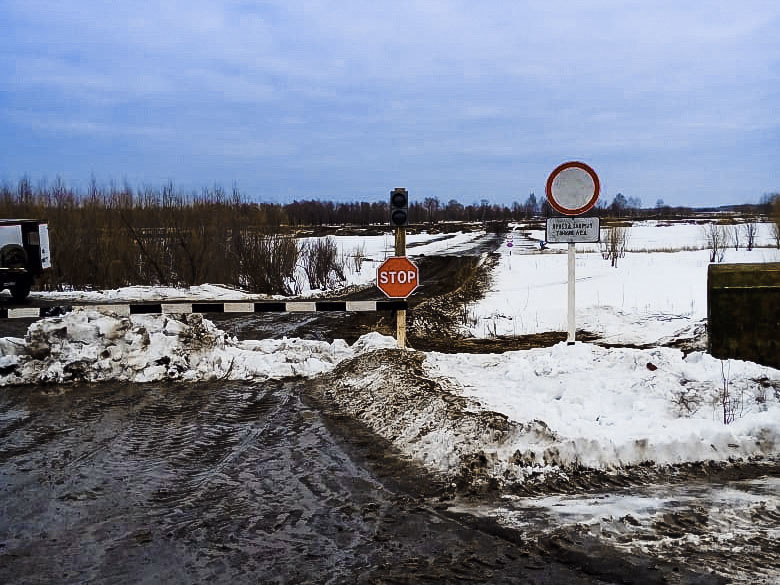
(227, 483)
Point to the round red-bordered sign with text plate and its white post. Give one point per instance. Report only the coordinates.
(572, 189)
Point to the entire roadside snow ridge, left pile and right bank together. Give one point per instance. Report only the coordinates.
(499, 418)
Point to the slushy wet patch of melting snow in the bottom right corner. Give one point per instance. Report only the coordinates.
(730, 529)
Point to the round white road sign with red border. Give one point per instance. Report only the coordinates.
(573, 188)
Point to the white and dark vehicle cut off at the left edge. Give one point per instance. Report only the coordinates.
(24, 254)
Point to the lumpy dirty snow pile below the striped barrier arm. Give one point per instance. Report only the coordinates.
(86, 345)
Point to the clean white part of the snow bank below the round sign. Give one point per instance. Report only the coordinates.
(607, 408)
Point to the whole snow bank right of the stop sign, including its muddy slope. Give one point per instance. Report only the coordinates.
(537, 414)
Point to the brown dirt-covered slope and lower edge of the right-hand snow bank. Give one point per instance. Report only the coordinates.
(477, 451)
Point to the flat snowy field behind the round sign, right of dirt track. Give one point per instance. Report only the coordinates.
(649, 296)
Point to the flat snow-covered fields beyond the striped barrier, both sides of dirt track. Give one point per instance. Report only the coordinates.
(649, 297)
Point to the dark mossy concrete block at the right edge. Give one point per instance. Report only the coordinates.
(743, 312)
